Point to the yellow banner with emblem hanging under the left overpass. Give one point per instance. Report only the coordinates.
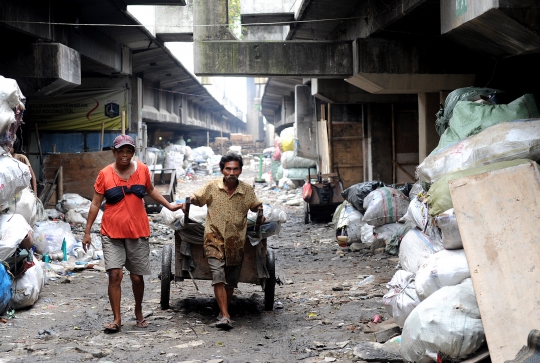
(83, 110)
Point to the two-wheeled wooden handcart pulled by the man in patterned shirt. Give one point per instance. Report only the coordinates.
(201, 271)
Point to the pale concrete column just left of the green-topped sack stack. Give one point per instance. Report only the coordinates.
(428, 139)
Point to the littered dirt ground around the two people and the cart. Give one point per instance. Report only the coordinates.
(320, 311)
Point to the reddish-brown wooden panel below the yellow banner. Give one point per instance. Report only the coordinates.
(79, 170)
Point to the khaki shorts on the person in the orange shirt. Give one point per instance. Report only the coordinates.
(132, 253)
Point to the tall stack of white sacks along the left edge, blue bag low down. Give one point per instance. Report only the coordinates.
(19, 287)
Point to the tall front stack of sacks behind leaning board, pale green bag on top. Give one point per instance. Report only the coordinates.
(433, 250)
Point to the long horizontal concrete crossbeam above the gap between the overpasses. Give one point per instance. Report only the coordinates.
(267, 59)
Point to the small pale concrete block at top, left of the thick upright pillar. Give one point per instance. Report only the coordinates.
(175, 24)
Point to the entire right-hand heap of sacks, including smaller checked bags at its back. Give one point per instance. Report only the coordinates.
(431, 296)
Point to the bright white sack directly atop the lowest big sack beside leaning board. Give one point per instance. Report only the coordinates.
(444, 268)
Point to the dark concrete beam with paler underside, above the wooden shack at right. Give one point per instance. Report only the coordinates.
(400, 67)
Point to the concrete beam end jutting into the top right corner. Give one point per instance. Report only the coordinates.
(501, 28)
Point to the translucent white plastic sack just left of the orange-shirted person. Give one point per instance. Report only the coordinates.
(49, 235)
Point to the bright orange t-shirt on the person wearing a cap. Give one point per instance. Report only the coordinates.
(127, 218)
